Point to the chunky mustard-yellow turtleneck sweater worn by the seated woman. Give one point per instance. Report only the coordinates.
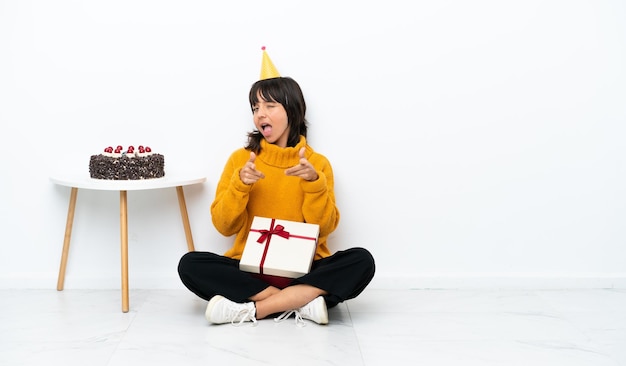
(276, 196)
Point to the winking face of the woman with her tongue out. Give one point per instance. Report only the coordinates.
(270, 118)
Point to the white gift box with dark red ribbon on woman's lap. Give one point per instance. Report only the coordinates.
(279, 247)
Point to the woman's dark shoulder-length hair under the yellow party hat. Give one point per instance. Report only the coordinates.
(286, 91)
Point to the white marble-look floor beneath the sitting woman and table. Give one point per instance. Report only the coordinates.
(416, 327)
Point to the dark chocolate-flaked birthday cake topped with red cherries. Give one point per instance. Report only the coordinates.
(116, 164)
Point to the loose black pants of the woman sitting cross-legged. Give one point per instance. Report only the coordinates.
(343, 275)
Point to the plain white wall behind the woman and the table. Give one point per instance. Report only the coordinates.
(474, 143)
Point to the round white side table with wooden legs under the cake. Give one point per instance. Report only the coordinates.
(83, 181)
